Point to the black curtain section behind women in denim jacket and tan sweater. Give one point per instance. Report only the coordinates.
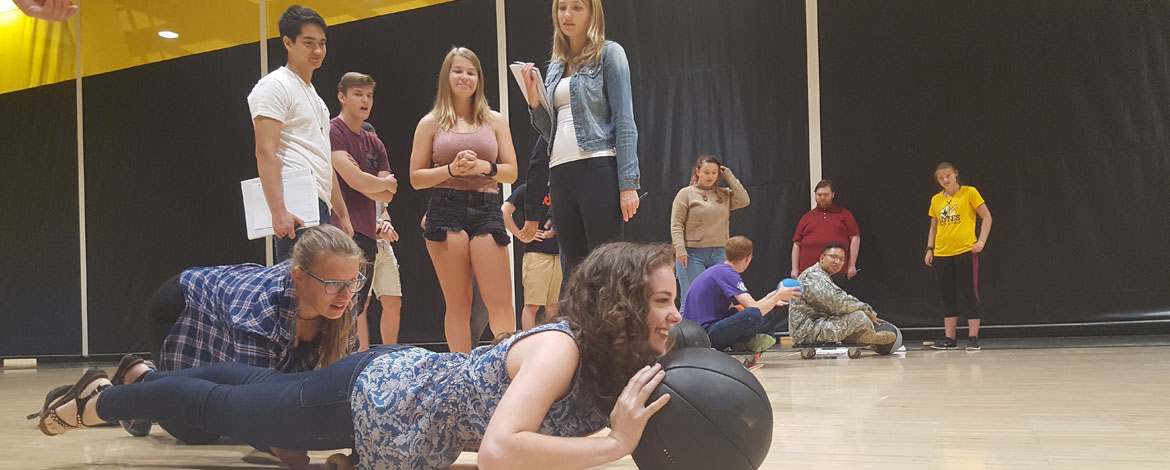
(715, 78)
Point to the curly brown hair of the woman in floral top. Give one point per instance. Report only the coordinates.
(607, 302)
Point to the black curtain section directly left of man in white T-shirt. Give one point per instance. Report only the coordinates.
(167, 147)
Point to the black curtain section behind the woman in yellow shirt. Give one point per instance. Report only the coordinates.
(1057, 112)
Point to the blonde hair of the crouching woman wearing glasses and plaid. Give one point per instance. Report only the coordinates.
(311, 246)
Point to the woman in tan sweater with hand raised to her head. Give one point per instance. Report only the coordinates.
(700, 219)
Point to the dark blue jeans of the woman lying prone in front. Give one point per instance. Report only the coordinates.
(307, 411)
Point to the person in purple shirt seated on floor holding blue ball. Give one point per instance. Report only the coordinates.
(713, 298)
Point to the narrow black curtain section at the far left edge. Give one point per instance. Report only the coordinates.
(40, 269)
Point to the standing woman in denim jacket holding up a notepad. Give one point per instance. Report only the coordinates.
(594, 141)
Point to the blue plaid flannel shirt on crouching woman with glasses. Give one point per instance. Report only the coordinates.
(239, 314)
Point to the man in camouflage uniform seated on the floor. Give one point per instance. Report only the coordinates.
(827, 314)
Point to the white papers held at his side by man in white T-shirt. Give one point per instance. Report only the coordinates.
(300, 199)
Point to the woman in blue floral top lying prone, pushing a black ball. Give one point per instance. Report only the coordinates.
(529, 402)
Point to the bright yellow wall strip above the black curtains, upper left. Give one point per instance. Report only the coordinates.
(119, 34)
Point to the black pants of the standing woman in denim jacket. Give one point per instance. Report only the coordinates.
(587, 210)
